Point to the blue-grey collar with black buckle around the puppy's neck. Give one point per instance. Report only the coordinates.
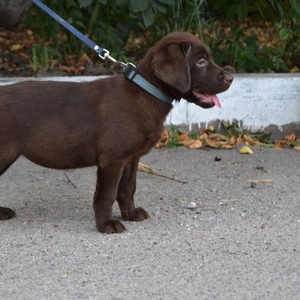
(130, 73)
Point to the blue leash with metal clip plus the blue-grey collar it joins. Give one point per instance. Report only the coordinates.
(130, 72)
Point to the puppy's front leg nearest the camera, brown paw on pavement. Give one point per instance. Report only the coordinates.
(105, 195)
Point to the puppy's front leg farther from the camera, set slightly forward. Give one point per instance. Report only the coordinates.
(126, 192)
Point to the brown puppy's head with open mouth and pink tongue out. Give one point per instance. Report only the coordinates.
(185, 64)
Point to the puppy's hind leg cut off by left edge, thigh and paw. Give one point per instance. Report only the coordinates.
(7, 158)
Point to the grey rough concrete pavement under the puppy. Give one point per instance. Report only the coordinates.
(239, 242)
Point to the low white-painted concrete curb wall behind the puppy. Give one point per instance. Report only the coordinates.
(256, 100)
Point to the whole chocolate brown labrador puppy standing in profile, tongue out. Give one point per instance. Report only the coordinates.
(109, 123)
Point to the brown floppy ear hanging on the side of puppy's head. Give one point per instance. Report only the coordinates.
(170, 64)
